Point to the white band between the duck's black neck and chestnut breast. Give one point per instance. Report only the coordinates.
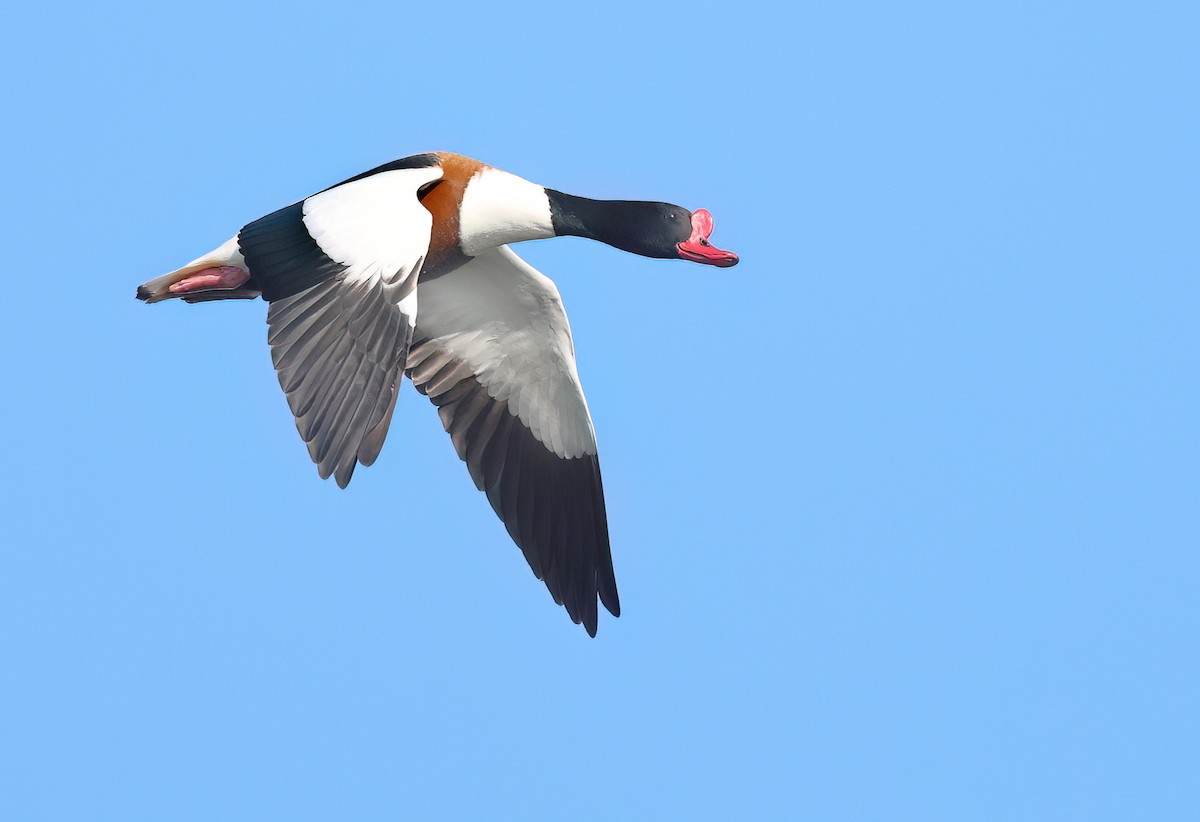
(500, 208)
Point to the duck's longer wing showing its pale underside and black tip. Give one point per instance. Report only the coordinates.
(494, 352)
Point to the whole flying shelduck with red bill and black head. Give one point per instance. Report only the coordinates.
(406, 269)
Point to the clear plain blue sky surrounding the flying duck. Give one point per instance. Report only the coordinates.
(904, 508)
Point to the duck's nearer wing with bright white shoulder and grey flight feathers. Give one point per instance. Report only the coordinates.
(340, 271)
